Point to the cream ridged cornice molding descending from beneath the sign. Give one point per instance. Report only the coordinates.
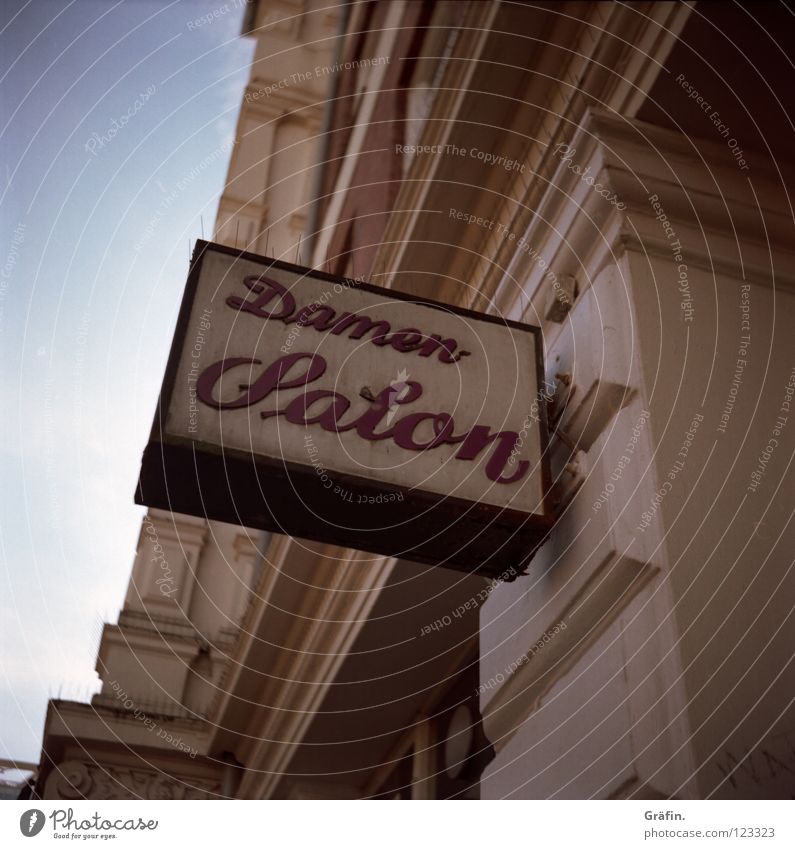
(333, 610)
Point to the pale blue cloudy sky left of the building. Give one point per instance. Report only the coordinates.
(116, 125)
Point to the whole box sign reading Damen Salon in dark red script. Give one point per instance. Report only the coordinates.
(316, 406)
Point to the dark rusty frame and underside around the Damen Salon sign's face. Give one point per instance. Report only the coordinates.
(192, 476)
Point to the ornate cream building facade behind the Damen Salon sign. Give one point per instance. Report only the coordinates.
(606, 173)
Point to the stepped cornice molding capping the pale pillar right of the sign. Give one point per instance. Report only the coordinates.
(713, 207)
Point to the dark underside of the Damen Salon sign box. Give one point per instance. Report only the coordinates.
(351, 512)
